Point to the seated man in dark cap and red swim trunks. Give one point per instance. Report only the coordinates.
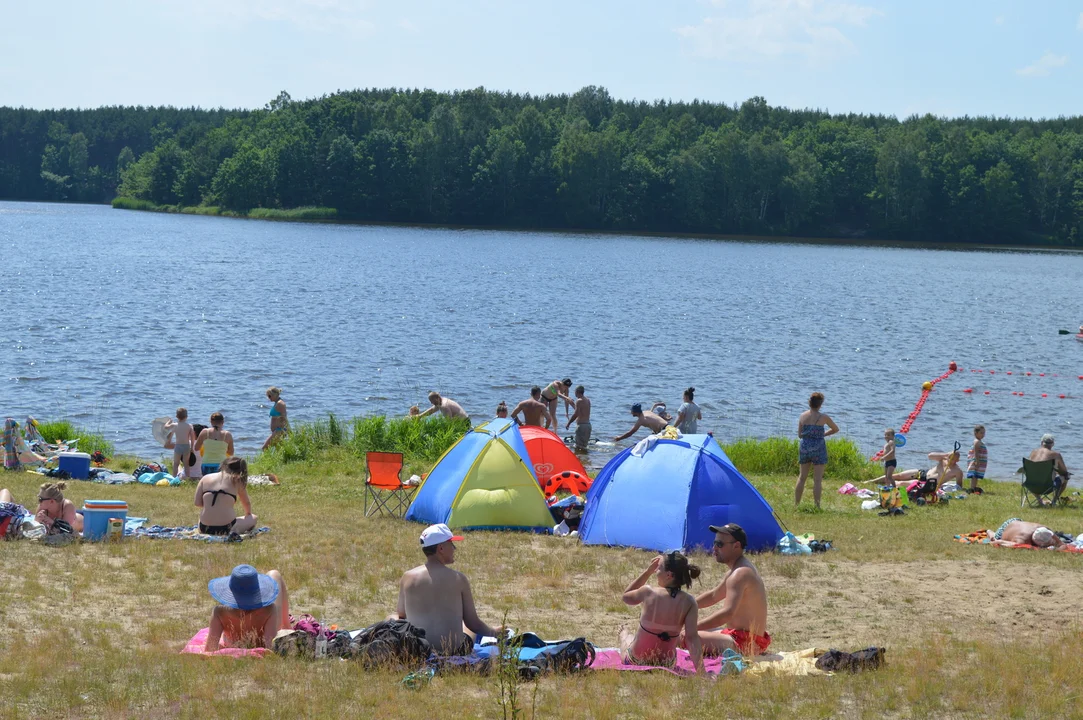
(741, 622)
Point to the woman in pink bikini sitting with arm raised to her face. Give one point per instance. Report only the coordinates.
(668, 612)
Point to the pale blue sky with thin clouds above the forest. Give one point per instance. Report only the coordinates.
(949, 58)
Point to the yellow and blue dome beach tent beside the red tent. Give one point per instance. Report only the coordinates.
(484, 482)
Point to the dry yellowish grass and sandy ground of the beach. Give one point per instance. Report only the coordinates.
(95, 631)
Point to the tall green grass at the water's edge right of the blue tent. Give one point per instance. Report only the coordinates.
(778, 456)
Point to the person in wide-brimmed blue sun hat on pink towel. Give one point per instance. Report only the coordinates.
(254, 608)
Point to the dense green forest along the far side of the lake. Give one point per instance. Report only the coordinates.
(584, 161)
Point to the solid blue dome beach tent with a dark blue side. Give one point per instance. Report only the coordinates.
(669, 499)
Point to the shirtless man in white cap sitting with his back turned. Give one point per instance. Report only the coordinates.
(438, 599)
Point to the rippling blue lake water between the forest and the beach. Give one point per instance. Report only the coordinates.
(114, 318)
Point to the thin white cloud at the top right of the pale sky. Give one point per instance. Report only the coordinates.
(758, 30)
